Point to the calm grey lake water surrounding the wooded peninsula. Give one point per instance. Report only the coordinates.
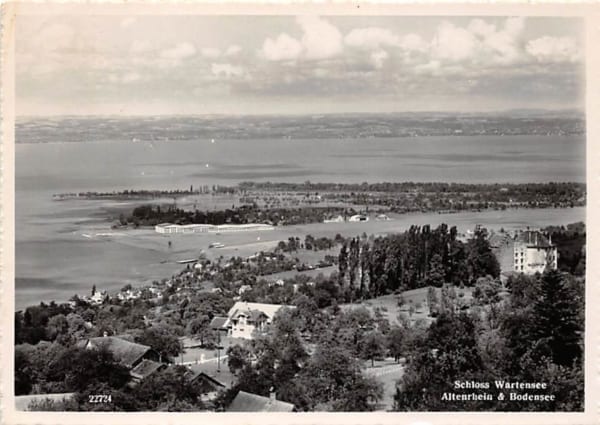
(54, 259)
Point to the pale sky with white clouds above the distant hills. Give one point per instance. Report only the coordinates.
(158, 65)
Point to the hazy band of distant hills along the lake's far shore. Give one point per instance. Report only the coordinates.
(329, 126)
